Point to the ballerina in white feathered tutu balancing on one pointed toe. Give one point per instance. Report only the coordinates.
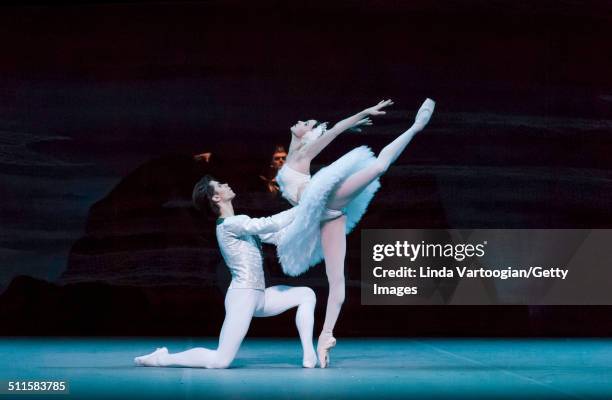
(332, 202)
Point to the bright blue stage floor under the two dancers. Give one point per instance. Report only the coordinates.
(361, 368)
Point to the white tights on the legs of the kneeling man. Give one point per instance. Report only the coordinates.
(241, 305)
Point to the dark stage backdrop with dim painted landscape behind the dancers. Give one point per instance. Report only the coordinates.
(102, 107)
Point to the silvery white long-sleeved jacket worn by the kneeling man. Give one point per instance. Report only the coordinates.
(240, 239)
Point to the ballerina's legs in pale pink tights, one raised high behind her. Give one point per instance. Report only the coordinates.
(333, 233)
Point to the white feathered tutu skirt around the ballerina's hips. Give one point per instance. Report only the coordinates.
(299, 245)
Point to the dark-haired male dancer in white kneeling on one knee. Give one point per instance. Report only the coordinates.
(247, 296)
